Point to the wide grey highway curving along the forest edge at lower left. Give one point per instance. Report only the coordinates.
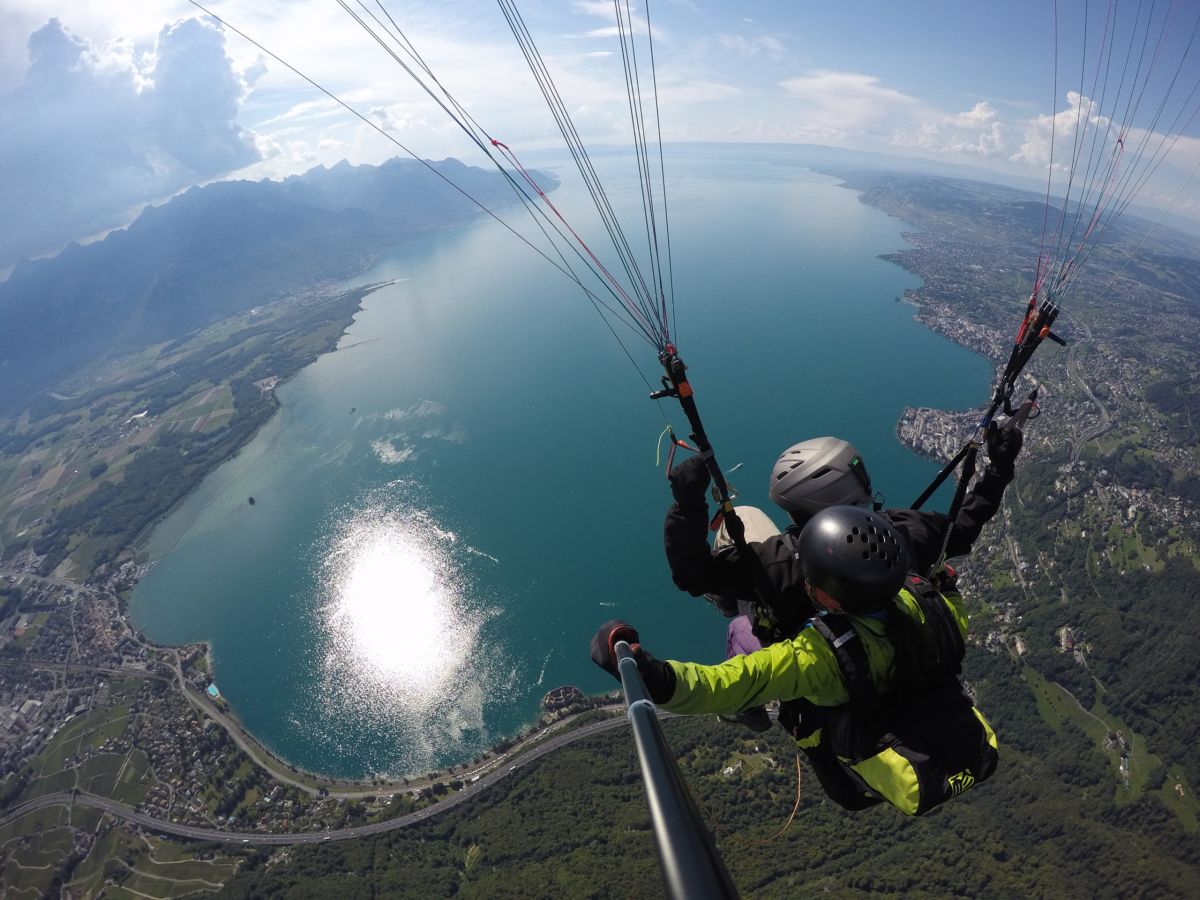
(163, 826)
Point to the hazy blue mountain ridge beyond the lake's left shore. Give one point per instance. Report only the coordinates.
(215, 251)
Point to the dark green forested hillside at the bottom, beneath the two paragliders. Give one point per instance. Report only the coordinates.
(1048, 825)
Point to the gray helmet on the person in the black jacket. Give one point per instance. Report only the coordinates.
(819, 473)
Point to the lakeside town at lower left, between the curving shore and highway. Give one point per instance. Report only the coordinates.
(91, 705)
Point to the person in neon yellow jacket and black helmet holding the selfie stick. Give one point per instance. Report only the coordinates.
(875, 671)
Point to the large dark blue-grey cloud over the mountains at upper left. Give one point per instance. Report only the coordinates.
(94, 131)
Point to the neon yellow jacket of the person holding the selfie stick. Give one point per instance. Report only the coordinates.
(801, 668)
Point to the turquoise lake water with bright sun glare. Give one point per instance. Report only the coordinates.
(449, 505)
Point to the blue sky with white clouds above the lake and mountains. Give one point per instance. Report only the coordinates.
(115, 106)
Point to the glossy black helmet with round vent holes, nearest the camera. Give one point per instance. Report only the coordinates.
(855, 556)
